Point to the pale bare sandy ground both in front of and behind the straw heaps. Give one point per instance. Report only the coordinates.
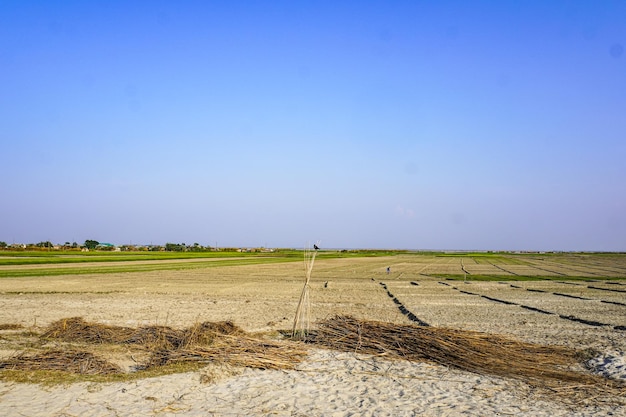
(263, 298)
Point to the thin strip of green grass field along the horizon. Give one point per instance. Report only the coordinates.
(479, 266)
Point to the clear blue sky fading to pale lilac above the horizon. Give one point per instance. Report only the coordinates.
(405, 124)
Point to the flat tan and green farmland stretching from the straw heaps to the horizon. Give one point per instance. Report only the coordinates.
(261, 294)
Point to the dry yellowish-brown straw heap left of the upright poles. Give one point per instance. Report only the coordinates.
(221, 342)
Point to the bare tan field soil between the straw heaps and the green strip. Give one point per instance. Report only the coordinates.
(263, 298)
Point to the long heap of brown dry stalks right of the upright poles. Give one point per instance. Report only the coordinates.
(481, 353)
